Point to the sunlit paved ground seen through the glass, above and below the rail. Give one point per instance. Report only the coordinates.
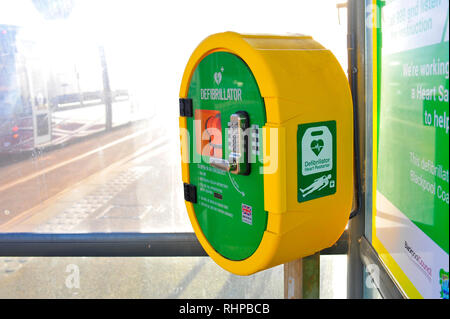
(124, 181)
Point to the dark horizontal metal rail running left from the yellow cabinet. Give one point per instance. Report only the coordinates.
(100, 245)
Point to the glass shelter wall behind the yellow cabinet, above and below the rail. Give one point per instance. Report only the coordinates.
(89, 138)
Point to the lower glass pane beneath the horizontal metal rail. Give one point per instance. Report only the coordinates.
(151, 277)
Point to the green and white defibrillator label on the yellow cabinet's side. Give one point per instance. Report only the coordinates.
(316, 154)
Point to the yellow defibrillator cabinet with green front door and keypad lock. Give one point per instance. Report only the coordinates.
(266, 126)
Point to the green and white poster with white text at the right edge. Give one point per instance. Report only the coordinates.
(412, 195)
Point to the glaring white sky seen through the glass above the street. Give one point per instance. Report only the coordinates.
(150, 42)
